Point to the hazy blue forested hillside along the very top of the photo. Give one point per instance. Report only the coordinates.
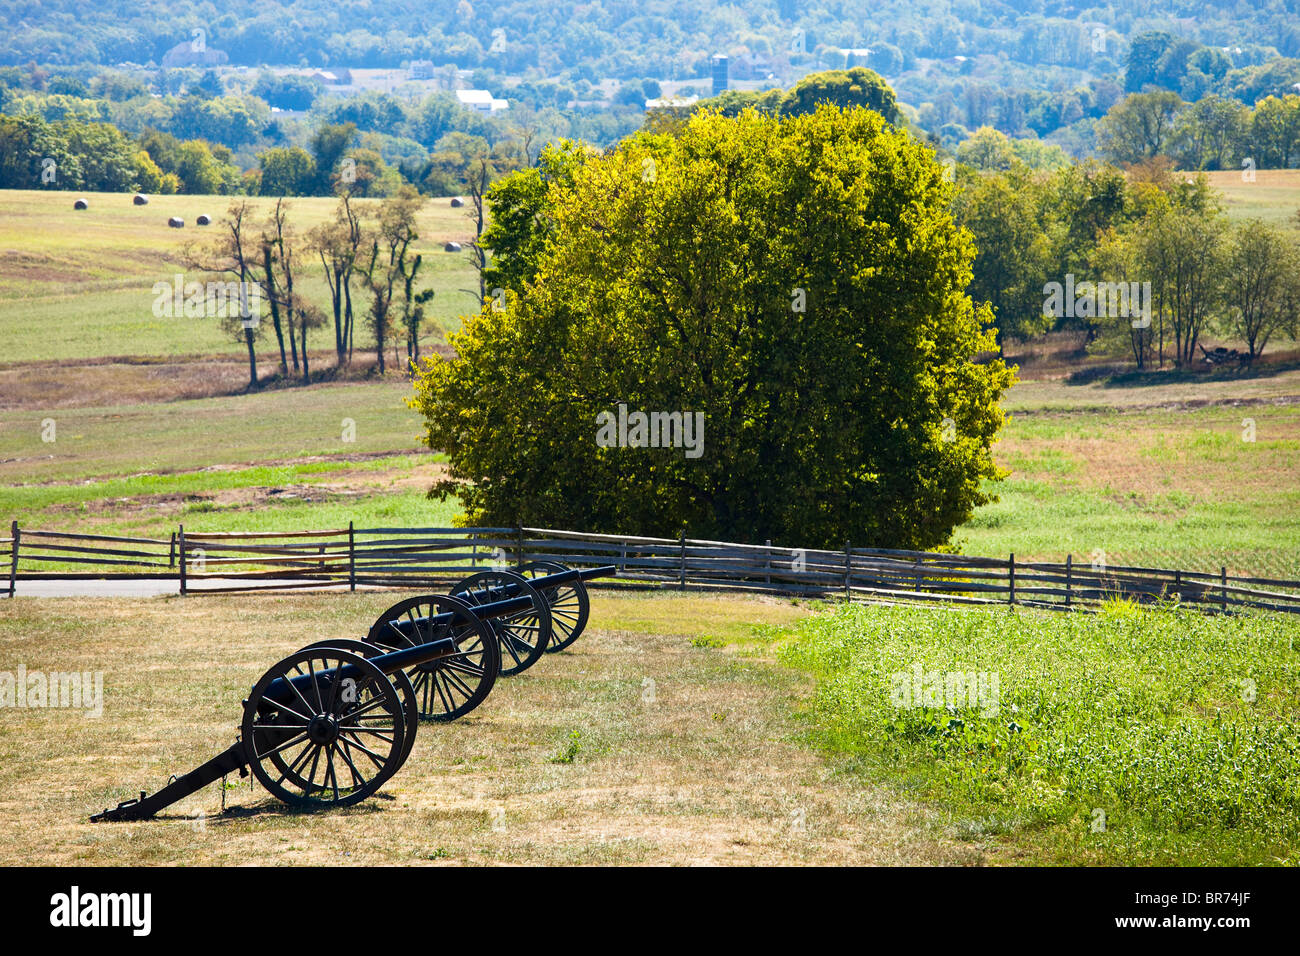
(622, 37)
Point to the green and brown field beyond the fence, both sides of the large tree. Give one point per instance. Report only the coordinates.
(1154, 474)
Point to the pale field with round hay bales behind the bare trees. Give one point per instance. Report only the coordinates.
(77, 285)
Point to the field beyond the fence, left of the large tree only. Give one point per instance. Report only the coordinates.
(274, 461)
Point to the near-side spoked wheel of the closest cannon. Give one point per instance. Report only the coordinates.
(340, 745)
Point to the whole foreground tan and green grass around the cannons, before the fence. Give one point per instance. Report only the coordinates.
(691, 730)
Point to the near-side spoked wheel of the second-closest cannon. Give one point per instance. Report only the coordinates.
(449, 687)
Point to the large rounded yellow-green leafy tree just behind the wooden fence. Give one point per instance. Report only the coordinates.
(798, 287)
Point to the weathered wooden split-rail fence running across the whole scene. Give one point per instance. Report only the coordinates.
(226, 563)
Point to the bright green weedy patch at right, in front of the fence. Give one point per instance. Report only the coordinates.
(1126, 738)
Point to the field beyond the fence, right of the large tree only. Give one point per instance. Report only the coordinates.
(1195, 477)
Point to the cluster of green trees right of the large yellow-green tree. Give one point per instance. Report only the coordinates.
(1175, 269)
